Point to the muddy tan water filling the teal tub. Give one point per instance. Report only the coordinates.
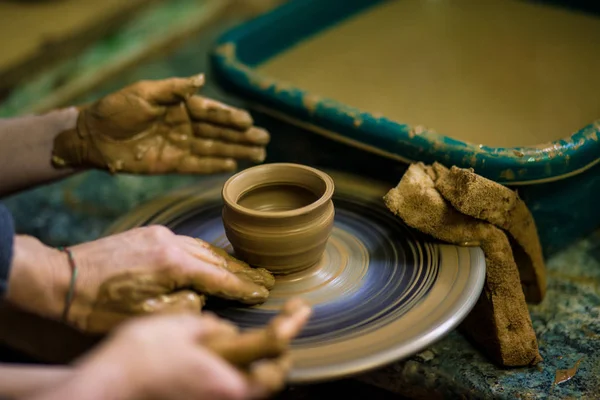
(500, 72)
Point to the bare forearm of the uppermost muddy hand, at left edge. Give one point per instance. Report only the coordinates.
(26, 149)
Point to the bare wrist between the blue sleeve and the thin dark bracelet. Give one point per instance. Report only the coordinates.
(39, 278)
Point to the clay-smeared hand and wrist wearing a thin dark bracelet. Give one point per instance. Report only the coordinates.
(141, 271)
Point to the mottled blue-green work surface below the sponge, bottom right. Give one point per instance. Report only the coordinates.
(567, 324)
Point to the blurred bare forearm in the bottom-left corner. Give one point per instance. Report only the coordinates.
(23, 381)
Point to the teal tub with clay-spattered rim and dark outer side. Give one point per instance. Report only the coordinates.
(556, 180)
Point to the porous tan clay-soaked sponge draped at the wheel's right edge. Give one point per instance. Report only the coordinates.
(428, 198)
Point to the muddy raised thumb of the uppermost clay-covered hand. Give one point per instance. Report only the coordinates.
(168, 91)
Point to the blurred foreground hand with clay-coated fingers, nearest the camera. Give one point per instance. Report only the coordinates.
(178, 357)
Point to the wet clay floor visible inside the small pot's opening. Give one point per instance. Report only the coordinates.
(277, 198)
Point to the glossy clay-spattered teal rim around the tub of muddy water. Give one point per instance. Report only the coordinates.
(249, 45)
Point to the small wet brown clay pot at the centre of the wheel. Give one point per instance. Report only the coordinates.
(279, 216)
